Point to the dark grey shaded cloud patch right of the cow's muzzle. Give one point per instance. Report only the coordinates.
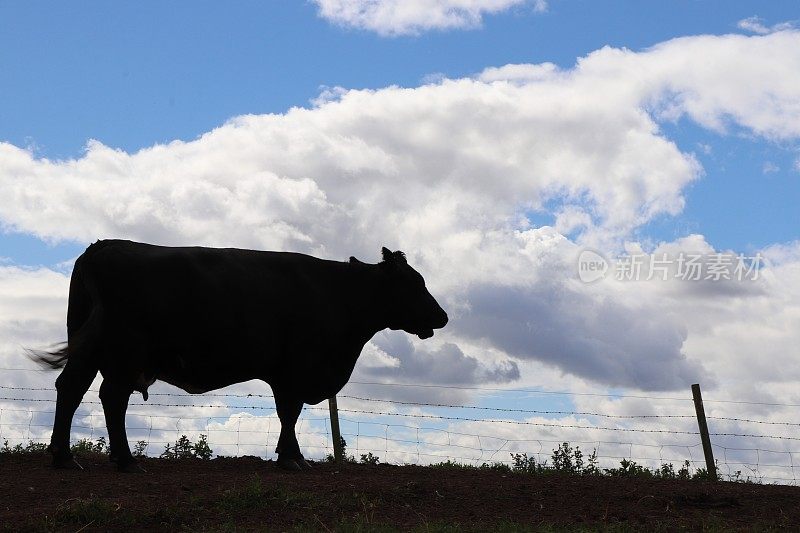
(603, 340)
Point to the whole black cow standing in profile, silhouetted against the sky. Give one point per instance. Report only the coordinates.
(205, 318)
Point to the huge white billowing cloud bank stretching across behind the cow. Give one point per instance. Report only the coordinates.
(452, 173)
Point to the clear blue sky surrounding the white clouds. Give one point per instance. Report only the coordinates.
(135, 74)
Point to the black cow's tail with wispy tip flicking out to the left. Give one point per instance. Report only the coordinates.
(83, 317)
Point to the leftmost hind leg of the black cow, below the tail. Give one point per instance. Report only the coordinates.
(71, 385)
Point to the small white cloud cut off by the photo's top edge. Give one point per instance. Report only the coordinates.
(404, 17)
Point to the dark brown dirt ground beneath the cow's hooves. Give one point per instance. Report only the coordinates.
(250, 494)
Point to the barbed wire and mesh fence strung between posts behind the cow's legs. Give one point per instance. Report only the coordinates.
(409, 432)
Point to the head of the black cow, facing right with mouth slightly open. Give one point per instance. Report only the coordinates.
(410, 306)
